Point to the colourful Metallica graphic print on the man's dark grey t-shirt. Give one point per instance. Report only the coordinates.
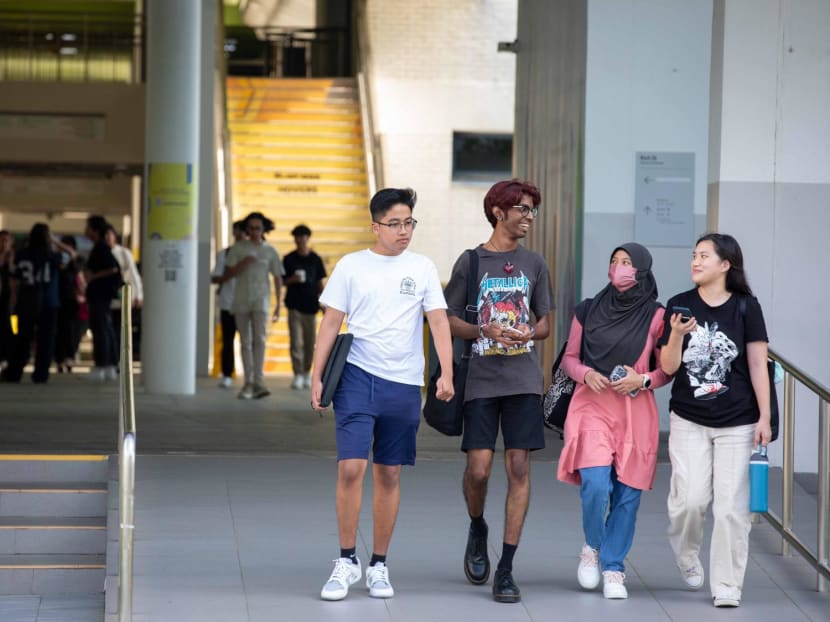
(503, 300)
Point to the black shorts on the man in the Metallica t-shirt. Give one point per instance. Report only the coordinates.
(521, 422)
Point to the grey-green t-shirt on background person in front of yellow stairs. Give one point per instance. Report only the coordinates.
(252, 291)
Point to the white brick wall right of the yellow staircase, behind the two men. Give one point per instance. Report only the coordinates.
(435, 69)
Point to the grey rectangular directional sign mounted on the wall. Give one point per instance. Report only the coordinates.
(664, 198)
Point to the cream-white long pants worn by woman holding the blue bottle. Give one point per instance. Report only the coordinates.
(711, 465)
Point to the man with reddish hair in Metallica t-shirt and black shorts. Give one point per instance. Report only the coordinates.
(504, 379)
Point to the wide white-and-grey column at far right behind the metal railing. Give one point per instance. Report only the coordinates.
(769, 174)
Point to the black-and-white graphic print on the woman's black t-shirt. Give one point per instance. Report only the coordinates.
(708, 359)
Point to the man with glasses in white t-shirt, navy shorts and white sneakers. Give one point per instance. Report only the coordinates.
(385, 292)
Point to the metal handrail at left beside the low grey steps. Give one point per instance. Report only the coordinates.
(126, 461)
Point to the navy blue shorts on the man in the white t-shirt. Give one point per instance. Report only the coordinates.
(367, 409)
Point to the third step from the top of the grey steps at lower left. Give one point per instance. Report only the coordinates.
(21, 535)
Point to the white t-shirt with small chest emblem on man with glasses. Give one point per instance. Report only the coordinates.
(384, 299)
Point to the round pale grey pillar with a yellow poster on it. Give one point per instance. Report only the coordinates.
(171, 205)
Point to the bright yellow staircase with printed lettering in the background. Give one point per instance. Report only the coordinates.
(297, 156)
